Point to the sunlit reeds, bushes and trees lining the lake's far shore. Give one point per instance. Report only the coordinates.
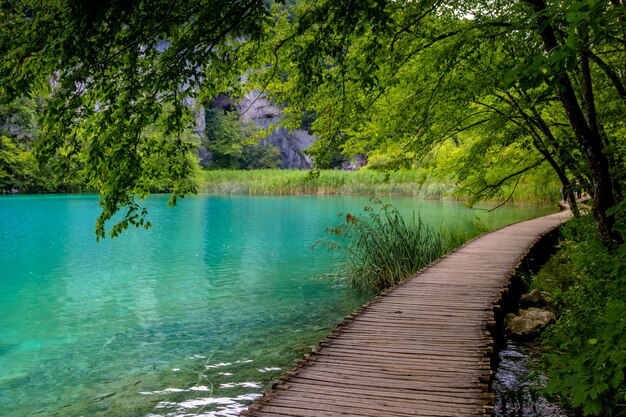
(225, 143)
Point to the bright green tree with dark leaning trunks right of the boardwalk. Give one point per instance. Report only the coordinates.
(417, 72)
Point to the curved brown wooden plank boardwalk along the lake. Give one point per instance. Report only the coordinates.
(419, 349)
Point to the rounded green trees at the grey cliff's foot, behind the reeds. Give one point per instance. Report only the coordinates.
(233, 145)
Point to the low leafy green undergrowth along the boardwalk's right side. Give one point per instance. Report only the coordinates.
(587, 345)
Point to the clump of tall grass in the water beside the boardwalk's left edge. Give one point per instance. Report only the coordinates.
(379, 248)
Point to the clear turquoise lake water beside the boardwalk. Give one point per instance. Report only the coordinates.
(192, 317)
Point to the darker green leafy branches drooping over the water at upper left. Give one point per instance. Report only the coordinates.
(111, 70)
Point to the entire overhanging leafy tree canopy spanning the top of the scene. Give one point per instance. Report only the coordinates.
(518, 83)
